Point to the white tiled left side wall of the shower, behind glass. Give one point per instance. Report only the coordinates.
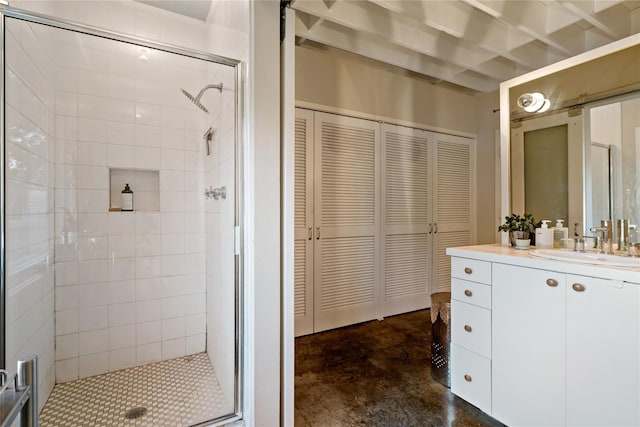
(29, 204)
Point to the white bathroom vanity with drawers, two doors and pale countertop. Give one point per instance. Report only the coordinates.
(565, 341)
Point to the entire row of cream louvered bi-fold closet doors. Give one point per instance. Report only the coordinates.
(375, 207)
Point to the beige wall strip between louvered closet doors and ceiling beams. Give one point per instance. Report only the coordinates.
(333, 78)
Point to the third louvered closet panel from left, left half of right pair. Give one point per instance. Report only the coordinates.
(405, 216)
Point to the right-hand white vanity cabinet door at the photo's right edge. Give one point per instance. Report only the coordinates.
(603, 352)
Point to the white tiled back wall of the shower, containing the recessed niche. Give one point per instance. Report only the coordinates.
(127, 291)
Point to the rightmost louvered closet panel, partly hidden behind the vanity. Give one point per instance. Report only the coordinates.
(452, 203)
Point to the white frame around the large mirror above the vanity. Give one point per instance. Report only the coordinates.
(505, 113)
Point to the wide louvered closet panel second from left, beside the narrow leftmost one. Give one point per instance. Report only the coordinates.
(346, 213)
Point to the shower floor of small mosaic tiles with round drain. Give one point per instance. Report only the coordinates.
(176, 392)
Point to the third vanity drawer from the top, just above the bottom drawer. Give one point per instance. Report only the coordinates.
(471, 327)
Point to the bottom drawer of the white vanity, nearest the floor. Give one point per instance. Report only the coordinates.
(471, 377)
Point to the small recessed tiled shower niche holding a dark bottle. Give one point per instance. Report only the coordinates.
(145, 185)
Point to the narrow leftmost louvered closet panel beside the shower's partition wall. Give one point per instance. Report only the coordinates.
(303, 219)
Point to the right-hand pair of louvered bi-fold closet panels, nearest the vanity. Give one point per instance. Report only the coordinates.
(427, 207)
